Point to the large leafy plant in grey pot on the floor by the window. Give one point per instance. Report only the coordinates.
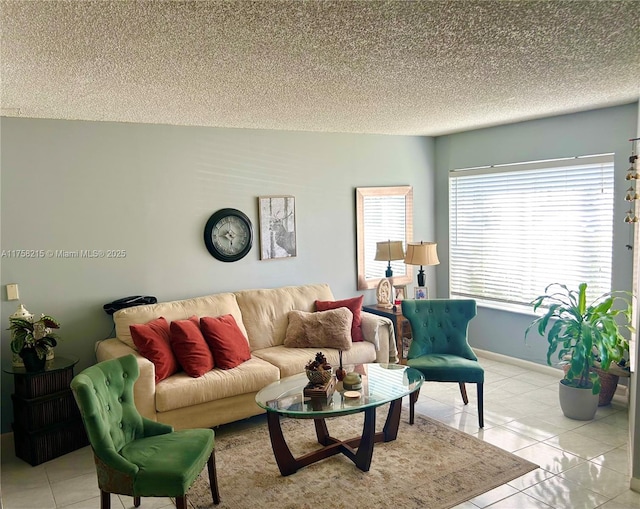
(582, 335)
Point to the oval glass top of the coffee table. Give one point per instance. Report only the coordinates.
(381, 383)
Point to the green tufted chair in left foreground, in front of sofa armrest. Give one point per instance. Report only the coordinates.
(134, 455)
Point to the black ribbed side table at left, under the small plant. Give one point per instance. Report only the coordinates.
(47, 422)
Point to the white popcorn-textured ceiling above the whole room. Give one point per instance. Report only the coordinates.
(396, 67)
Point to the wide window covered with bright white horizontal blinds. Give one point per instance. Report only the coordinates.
(514, 229)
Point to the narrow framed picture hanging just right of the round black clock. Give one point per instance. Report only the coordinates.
(277, 227)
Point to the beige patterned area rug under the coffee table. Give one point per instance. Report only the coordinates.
(429, 466)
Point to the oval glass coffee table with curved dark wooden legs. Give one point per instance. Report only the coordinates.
(381, 384)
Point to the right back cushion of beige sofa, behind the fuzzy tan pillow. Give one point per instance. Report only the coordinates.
(265, 311)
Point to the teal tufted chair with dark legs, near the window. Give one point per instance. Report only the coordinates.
(439, 348)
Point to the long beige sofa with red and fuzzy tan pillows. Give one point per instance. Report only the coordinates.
(222, 396)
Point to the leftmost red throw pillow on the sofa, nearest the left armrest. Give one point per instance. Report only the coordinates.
(152, 341)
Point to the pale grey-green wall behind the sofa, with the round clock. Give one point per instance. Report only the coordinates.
(149, 190)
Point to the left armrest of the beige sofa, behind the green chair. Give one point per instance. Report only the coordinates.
(144, 390)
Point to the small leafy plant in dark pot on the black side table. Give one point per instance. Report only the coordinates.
(32, 339)
